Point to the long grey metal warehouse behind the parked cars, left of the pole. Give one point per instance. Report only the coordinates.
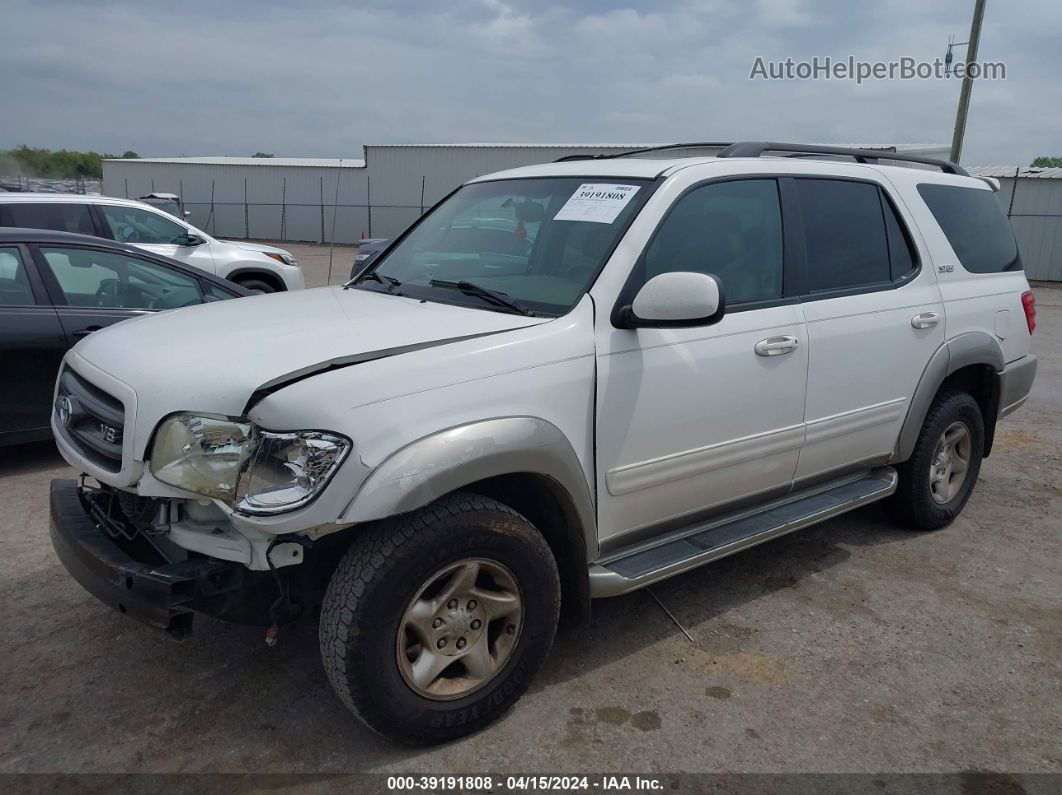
(339, 200)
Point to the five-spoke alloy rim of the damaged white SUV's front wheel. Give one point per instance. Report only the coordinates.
(460, 629)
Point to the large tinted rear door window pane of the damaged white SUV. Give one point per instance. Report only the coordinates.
(845, 235)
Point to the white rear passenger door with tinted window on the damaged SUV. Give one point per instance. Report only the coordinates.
(875, 319)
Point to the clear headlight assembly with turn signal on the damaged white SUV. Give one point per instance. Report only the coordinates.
(254, 471)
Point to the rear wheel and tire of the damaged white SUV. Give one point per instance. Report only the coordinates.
(923, 500)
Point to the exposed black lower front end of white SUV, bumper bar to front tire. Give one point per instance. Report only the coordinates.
(121, 548)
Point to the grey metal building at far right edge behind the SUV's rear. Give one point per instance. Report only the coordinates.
(1033, 199)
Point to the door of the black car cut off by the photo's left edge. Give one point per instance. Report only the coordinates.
(32, 344)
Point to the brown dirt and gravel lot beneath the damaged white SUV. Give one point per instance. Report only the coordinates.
(849, 647)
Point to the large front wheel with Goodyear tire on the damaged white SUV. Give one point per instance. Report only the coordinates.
(375, 620)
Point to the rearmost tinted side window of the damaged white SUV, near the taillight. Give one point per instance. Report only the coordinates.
(975, 226)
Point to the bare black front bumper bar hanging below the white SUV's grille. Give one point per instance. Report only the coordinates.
(131, 578)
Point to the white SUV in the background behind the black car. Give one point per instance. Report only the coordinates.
(255, 267)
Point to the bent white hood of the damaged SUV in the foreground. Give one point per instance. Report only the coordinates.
(217, 357)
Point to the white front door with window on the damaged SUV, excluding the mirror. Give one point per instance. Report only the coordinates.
(691, 420)
